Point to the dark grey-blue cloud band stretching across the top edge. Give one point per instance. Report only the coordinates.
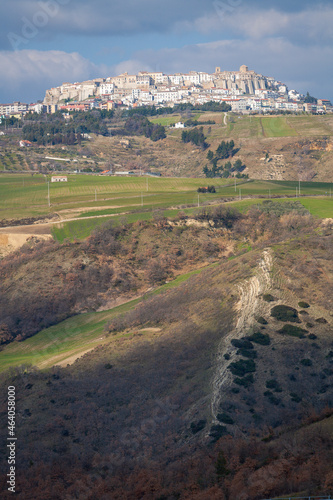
(26, 20)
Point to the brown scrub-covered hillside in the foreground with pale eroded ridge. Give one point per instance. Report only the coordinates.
(192, 392)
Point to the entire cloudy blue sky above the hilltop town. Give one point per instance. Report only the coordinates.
(46, 42)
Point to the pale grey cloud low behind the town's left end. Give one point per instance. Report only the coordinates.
(26, 74)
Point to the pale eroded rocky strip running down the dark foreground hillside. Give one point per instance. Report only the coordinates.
(248, 308)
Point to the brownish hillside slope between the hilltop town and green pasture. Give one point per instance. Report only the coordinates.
(281, 147)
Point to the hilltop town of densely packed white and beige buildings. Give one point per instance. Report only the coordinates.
(245, 91)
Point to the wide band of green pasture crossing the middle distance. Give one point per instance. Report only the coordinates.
(95, 196)
